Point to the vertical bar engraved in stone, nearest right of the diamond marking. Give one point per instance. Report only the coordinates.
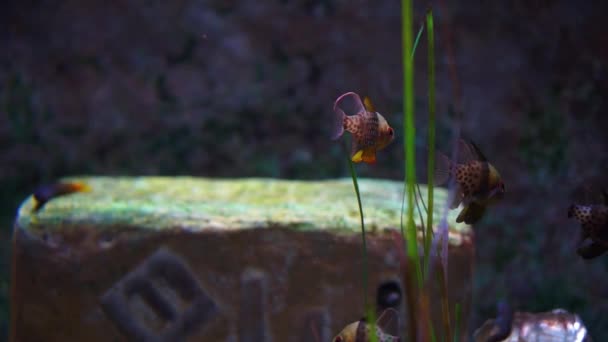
(252, 325)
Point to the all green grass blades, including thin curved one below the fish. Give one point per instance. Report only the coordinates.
(416, 277)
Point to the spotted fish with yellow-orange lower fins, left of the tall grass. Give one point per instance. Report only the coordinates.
(370, 131)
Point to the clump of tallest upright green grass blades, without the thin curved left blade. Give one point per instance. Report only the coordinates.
(417, 280)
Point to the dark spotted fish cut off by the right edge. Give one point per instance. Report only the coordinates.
(594, 227)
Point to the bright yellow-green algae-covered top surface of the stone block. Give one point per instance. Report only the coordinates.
(198, 203)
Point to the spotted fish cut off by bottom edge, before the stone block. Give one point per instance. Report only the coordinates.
(386, 329)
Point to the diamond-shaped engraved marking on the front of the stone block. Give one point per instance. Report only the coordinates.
(169, 302)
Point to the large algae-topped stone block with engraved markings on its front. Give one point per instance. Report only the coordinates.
(170, 258)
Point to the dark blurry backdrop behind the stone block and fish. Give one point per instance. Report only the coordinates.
(243, 88)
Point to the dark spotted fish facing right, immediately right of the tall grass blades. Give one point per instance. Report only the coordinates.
(478, 183)
